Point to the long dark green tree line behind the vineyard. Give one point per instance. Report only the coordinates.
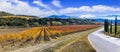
(42, 21)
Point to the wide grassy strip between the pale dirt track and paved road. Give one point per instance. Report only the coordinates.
(65, 46)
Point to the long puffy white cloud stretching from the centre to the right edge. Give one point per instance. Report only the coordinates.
(93, 9)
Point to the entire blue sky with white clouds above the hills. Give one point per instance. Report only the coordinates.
(80, 8)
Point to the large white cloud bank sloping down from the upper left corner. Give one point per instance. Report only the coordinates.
(23, 8)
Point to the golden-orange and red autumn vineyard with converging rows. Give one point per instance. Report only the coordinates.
(38, 34)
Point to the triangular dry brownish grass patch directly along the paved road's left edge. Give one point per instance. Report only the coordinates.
(81, 44)
